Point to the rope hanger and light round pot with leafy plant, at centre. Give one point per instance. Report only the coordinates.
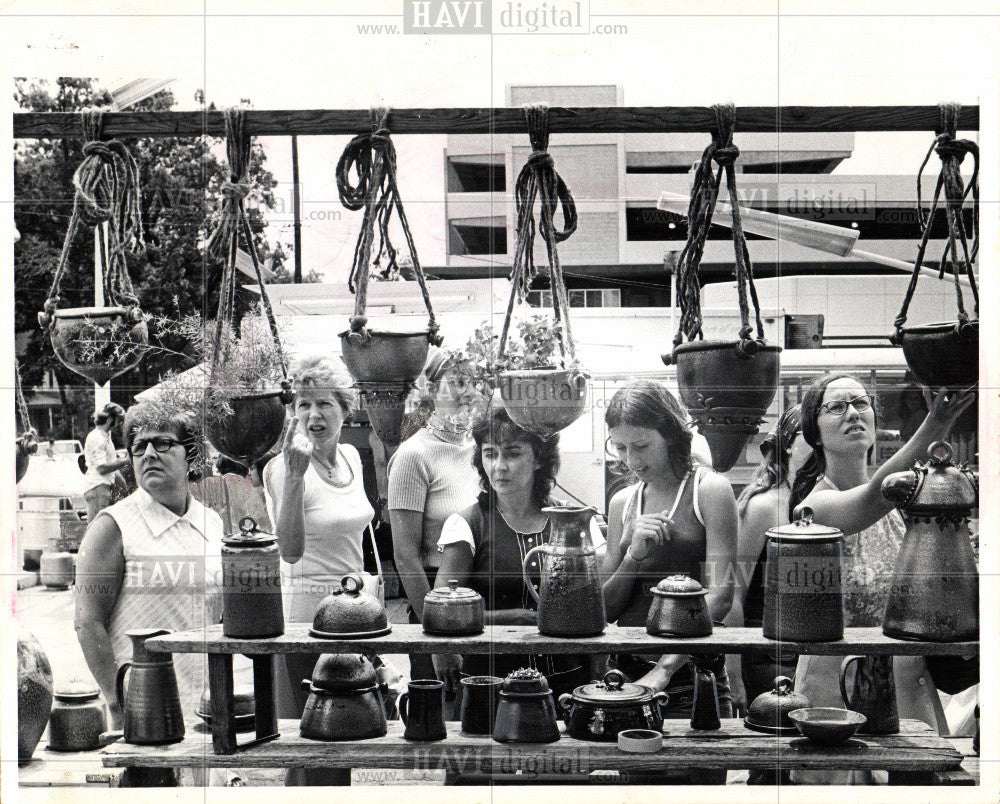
(543, 401)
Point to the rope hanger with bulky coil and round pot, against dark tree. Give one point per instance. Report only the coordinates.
(100, 343)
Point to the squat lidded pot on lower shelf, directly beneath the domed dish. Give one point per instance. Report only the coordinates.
(344, 701)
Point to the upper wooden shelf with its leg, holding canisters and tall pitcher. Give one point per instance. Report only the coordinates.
(407, 638)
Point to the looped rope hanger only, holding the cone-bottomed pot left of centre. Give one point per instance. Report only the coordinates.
(373, 157)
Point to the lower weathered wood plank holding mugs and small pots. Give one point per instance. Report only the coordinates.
(732, 747)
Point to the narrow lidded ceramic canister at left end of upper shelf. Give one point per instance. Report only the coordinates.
(251, 584)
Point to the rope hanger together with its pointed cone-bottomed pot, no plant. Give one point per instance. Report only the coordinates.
(384, 364)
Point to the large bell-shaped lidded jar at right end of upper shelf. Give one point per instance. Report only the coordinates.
(934, 594)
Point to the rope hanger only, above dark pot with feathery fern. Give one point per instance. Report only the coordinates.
(224, 241)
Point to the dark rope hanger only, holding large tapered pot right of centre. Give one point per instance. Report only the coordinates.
(704, 194)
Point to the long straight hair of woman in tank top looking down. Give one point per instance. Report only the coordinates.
(648, 404)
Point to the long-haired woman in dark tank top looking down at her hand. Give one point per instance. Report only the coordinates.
(679, 518)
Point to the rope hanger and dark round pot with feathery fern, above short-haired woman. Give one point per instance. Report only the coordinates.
(254, 421)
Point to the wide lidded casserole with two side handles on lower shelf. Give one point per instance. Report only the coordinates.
(599, 711)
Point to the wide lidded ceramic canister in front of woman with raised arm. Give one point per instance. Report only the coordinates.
(803, 584)
